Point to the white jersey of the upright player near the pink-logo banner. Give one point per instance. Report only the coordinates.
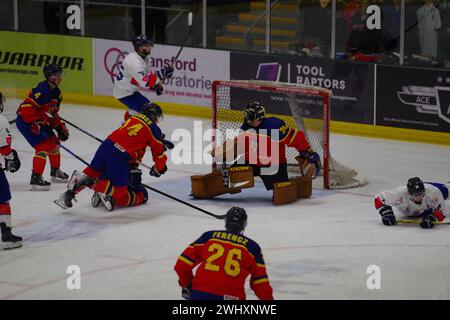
(133, 75)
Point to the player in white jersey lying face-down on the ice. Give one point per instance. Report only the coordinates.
(416, 199)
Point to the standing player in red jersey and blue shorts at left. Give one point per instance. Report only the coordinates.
(37, 117)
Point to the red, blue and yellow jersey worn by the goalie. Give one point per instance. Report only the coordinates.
(267, 143)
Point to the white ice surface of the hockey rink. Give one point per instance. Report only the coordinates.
(316, 248)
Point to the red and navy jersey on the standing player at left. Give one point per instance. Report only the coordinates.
(41, 100)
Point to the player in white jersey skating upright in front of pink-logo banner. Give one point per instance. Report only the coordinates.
(135, 74)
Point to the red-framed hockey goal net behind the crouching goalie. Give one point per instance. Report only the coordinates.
(301, 107)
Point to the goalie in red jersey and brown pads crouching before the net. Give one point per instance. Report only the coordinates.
(260, 150)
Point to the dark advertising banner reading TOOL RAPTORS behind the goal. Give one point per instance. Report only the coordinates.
(351, 83)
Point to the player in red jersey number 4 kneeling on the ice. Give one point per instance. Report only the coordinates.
(113, 158)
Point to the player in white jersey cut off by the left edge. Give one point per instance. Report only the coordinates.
(12, 164)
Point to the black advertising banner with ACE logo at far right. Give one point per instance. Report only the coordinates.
(413, 98)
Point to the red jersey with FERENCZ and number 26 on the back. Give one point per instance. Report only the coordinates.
(224, 261)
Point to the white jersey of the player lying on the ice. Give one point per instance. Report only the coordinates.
(401, 199)
